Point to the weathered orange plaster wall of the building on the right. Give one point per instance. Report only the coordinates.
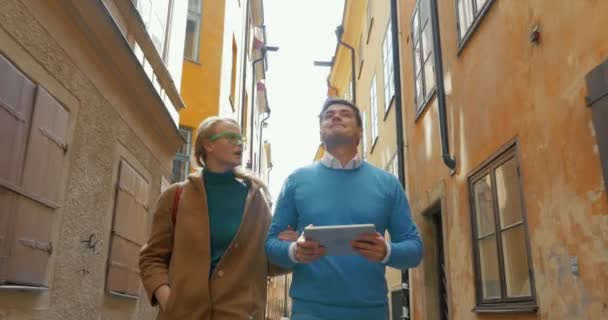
(502, 87)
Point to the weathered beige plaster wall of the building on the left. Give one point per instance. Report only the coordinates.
(45, 45)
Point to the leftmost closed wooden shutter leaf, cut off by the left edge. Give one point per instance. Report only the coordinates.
(16, 102)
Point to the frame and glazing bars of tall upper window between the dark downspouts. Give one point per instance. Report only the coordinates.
(428, 94)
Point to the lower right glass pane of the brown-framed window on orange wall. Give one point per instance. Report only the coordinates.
(516, 262)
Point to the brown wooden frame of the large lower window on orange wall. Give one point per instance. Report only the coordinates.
(504, 303)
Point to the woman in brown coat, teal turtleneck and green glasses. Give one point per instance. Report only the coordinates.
(205, 258)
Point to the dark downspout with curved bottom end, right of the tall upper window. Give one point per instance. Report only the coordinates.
(443, 124)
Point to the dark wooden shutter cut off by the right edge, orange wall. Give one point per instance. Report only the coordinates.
(597, 88)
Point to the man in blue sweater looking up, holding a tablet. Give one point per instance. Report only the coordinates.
(342, 189)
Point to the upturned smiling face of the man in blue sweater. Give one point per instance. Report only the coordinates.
(339, 125)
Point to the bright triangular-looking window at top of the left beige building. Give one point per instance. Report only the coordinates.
(155, 15)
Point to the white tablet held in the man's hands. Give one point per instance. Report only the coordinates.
(336, 239)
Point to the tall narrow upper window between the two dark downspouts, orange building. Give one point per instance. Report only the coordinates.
(424, 66)
